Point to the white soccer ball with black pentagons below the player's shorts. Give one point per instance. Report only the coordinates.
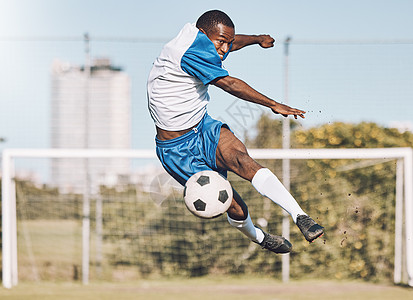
(207, 194)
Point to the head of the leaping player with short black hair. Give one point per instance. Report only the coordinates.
(220, 30)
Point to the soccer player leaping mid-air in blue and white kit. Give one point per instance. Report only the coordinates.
(188, 140)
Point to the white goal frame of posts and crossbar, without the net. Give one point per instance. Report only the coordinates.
(404, 191)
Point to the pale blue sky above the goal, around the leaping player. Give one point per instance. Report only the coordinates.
(332, 82)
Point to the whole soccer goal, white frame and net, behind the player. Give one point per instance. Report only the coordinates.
(69, 215)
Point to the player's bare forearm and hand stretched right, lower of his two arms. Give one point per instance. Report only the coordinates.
(242, 90)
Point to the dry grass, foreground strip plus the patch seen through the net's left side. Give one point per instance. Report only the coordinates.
(49, 250)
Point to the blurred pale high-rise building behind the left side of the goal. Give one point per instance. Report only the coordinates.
(90, 109)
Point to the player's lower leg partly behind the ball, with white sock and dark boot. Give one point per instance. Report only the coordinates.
(238, 217)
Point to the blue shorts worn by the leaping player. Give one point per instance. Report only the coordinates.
(192, 152)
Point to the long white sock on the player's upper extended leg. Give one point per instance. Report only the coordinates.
(268, 185)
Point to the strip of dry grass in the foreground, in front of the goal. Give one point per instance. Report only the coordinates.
(209, 288)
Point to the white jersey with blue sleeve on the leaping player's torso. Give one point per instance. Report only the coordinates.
(178, 82)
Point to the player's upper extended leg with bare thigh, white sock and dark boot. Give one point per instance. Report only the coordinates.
(232, 155)
